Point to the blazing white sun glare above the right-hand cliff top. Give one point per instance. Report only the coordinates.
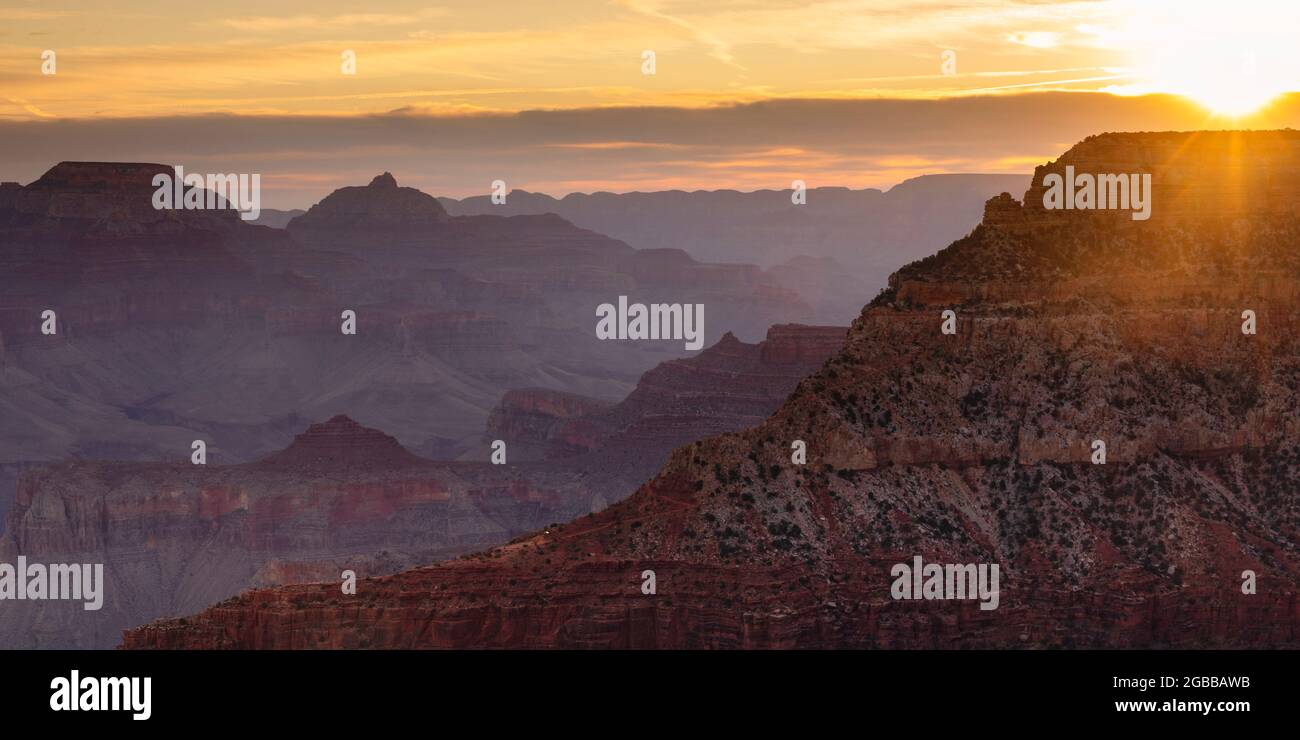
(1230, 59)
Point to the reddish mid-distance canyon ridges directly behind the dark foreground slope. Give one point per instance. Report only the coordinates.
(176, 538)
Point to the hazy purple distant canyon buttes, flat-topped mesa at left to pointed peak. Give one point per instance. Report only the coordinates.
(176, 326)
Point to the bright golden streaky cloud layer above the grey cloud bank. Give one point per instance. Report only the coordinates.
(470, 57)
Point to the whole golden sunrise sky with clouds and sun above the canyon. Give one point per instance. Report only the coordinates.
(558, 97)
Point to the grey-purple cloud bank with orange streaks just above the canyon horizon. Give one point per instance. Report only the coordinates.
(857, 144)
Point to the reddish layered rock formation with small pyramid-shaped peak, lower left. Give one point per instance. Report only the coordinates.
(175, 538)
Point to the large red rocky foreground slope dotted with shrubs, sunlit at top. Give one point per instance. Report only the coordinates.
(972, 448)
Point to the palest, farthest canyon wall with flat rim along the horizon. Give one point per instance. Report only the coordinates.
(834, 250)
